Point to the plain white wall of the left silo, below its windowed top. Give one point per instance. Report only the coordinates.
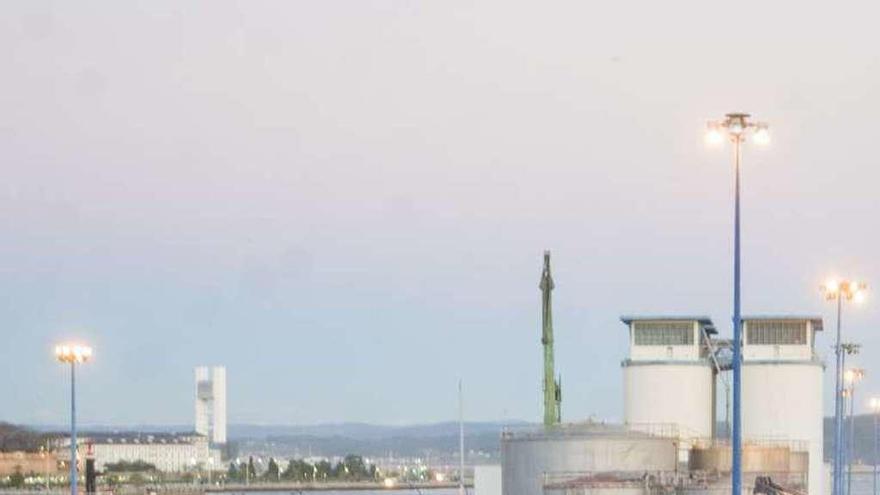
(680, 394)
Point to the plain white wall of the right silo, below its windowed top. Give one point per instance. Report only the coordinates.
(783, 401)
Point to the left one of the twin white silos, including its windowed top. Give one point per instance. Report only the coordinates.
(669, 376)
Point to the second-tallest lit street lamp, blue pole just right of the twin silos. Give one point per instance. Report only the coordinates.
(840, 290)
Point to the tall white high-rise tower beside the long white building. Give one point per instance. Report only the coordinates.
(211, 403)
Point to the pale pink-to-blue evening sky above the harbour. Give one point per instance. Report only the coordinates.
(346, 202)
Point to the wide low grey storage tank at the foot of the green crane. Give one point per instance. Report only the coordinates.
(532, 458)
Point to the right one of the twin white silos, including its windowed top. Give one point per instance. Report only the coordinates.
(782, 387)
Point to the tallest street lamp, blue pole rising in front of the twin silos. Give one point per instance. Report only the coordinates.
(736, 127)
